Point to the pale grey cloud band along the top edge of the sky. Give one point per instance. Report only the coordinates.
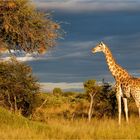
(89, 5)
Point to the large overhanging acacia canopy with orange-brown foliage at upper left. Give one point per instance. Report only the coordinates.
(24, 28)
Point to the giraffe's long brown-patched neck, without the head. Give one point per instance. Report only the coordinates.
(116, 70)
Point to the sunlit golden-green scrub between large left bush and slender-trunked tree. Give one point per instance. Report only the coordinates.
(64, 106)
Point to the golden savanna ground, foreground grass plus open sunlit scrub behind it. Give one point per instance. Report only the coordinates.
(55, 121)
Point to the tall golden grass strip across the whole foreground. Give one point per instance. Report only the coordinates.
(18, 127)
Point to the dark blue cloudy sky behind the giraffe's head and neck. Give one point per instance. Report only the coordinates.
(86, 23)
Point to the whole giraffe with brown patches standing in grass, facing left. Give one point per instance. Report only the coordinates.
(125, 84)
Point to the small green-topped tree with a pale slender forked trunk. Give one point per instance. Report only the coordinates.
(92, 89)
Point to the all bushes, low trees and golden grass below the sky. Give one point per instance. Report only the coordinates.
(25, 113)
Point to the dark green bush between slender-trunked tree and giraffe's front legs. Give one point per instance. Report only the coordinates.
(105, 103)
